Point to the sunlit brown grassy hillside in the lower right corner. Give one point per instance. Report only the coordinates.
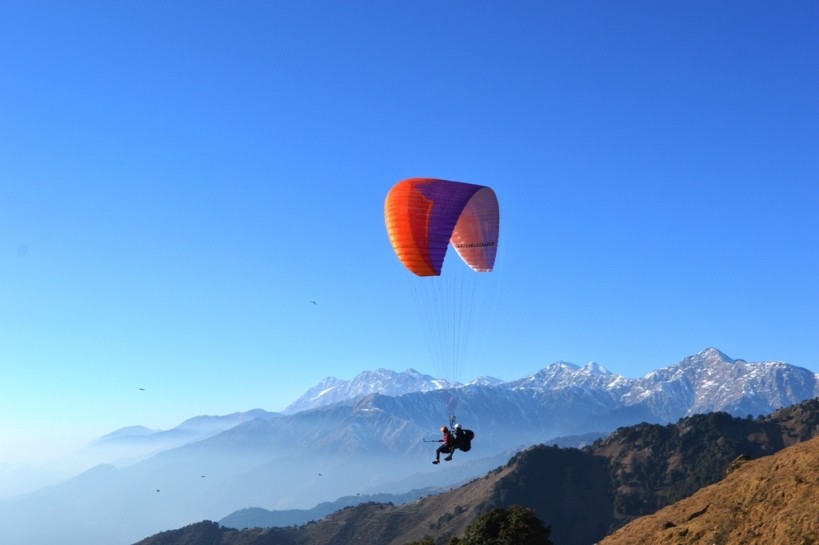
(770, 500)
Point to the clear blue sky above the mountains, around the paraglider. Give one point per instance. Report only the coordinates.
(178, 180)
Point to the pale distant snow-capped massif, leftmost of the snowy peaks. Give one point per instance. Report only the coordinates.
(381, 381)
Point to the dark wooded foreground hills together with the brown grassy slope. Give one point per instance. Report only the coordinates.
(585, 494)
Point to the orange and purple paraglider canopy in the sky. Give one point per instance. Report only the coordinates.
(424, 215)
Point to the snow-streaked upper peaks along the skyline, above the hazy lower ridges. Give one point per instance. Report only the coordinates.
(708, 381)
